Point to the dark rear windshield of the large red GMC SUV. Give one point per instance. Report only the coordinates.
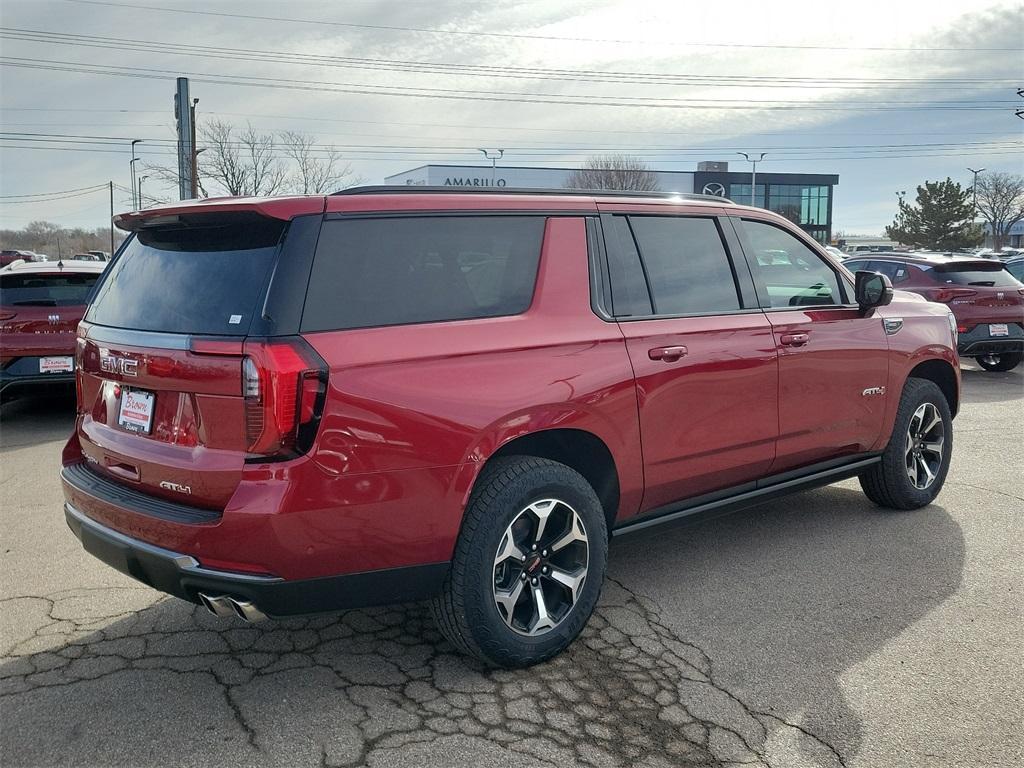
(207, 280)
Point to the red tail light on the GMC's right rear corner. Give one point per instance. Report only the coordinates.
(285, 386)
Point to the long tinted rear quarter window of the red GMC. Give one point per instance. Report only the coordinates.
(390, 272)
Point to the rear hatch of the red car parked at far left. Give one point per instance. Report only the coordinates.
(39, 313)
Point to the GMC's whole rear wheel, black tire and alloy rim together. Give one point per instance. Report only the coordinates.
(529, 565)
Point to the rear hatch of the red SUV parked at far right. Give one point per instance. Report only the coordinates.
(979, 292)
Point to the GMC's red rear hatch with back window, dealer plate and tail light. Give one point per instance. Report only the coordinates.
(175, 397)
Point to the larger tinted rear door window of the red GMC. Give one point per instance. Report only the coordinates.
(687, 265)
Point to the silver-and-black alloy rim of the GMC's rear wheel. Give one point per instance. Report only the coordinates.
(541, 567)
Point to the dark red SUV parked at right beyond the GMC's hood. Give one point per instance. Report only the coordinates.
(987, 300)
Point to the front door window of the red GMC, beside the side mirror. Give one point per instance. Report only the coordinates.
(792, 273)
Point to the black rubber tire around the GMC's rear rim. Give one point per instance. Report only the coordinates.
(466, 611)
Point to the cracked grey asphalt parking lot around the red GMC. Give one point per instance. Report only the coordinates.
(814, 631)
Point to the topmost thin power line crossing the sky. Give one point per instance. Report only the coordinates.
(522, 36)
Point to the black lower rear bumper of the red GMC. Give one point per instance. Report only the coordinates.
(184, 577)
